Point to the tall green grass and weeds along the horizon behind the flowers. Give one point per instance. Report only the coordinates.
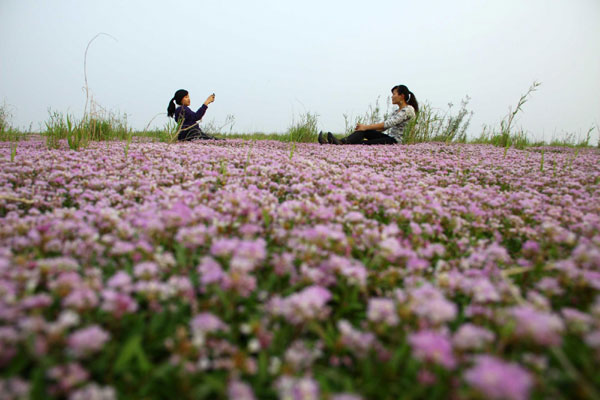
(431, 125)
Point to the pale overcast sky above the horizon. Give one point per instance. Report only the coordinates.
(270, 61)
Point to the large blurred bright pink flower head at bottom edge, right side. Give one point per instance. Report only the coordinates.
(497, 379)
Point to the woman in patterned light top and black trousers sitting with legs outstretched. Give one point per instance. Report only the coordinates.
(393, 125)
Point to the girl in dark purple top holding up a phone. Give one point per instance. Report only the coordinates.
(189, 129)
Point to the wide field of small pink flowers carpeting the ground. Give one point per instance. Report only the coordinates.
(257, 270)
